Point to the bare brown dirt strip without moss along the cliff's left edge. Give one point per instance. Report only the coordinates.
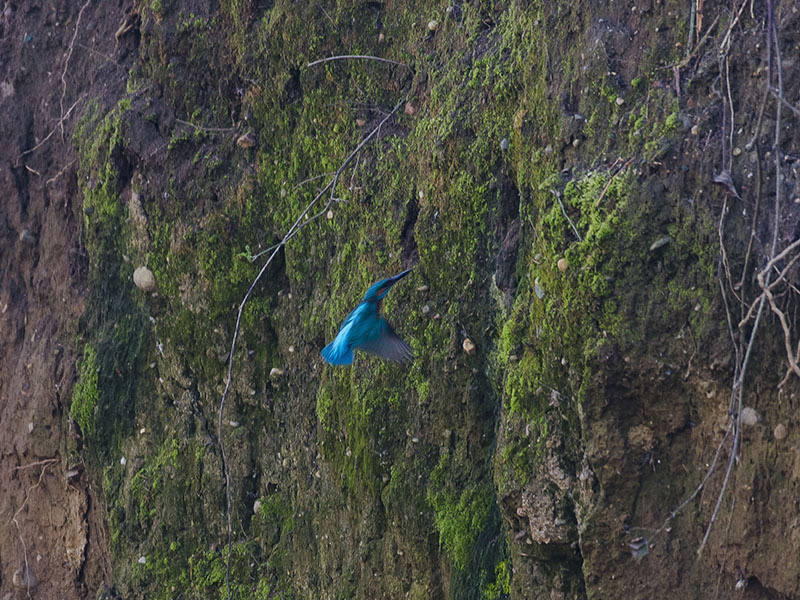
(49, 511)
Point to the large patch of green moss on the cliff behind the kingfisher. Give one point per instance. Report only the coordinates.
(436, 187)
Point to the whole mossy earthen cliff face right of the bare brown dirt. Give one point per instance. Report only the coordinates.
(544, 182)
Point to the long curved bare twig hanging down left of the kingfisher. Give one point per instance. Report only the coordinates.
(301, 221)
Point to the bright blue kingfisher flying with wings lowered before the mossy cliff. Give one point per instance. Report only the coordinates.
(365, 329)
